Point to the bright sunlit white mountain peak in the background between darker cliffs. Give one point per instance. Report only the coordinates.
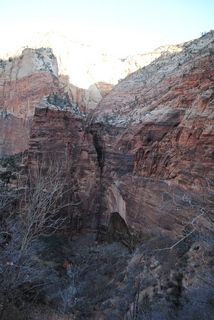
(86, 74)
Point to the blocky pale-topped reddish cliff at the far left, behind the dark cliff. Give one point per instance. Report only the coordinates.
(24, 80)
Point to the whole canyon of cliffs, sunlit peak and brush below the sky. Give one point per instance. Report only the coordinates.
(131, 144)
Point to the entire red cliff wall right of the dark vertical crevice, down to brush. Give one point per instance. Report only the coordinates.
(157, 127)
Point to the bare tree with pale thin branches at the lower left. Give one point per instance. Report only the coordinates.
(40, 202)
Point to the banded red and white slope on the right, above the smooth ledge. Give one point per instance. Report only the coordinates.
(166, 110)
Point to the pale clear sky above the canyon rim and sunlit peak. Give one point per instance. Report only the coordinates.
(120, 27)
